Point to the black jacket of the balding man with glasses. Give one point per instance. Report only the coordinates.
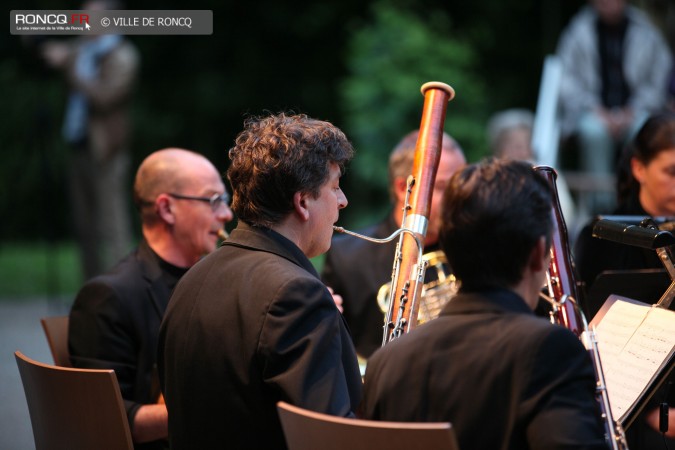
(114, 323)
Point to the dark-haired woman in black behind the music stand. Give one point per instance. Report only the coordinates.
(645, 188)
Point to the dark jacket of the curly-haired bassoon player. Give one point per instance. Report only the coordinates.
(249, 325)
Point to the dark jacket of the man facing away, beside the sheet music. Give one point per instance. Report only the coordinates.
(504, 378)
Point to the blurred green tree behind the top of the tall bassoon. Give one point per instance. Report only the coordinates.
(387, 57)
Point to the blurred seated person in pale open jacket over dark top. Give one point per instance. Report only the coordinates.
(616, 65)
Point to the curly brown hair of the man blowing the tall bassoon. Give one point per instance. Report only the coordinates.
(278, 155)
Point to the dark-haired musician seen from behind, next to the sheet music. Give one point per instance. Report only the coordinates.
(505, 378)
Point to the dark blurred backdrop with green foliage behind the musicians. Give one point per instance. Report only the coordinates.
(358, 64)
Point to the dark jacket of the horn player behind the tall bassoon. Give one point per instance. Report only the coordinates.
(357, 269)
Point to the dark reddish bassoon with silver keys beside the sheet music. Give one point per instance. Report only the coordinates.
(565, 311)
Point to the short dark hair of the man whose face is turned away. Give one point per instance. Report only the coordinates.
(494, 212)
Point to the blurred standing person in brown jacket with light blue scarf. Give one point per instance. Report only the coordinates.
(100, 71)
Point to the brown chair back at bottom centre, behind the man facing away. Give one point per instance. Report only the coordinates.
(308, 430)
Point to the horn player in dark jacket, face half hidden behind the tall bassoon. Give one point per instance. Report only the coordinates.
(357, 269)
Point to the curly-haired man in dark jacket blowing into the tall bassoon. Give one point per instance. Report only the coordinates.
(252, 324)
